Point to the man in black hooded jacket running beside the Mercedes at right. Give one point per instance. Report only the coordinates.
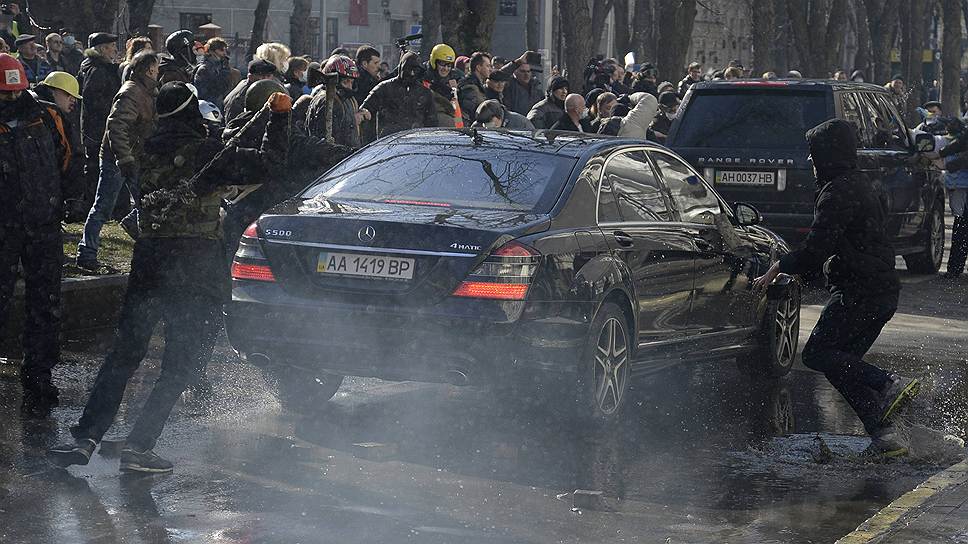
(848, 241)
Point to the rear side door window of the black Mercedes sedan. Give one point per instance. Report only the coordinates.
(636, 188)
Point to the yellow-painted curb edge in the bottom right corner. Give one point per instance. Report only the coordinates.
(906, 506)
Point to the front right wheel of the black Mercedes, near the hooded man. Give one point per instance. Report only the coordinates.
(778, 339)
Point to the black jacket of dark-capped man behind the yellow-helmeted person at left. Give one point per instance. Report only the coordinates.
(100, 81)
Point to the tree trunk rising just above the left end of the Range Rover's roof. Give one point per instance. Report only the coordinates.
(673, 31)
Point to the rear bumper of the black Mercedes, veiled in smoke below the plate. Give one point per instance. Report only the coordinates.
(390, 344)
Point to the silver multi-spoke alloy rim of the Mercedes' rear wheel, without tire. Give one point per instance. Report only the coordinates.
(611, 366)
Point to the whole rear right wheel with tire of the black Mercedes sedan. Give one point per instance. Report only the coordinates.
(604, 371)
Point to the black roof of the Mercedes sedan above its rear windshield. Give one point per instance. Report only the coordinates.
(553, 142)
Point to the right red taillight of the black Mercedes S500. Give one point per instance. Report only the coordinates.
(505, 275)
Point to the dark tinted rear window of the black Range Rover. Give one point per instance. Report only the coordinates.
(750, 119)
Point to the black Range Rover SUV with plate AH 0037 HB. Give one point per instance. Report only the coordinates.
(747, 138)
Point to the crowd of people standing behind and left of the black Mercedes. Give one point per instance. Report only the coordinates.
(186, 152)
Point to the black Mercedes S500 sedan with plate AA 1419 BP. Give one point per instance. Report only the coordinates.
(539, 264)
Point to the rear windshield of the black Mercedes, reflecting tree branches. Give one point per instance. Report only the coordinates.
(446, 175)
